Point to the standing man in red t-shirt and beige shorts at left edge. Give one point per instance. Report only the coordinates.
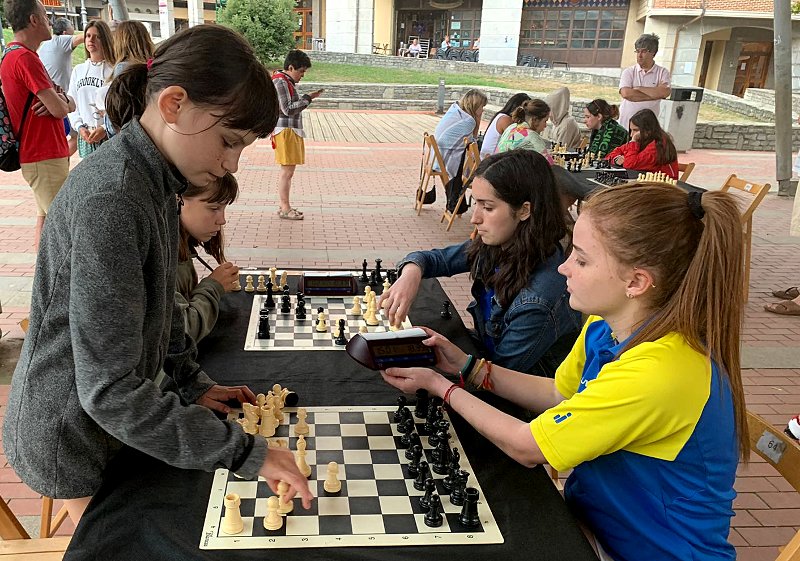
(43, 150)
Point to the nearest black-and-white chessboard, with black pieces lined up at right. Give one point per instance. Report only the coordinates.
(378, 504)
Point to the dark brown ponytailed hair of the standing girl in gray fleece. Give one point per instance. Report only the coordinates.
(218, 70)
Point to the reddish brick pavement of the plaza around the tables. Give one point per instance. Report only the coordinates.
(358, 202)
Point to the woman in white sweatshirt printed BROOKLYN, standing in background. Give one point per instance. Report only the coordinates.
(87, 78)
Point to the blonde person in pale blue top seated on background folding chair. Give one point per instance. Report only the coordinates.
(459, 123)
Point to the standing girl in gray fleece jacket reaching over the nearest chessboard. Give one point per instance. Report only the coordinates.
(103, 315)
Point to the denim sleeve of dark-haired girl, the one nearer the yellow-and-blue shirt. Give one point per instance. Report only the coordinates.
(528, 332)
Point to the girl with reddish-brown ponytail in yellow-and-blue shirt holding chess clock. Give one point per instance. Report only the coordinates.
(648, 409)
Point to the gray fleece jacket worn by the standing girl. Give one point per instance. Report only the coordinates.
(103, 322)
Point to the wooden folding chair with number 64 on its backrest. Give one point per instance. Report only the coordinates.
(782, 453)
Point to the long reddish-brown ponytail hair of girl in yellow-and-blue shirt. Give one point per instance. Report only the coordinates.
(697, 265)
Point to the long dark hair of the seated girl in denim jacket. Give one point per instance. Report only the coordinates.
(519, 176)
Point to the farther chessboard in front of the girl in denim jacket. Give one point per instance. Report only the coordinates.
(288, 333)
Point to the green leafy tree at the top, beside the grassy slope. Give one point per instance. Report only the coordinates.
(267, 24)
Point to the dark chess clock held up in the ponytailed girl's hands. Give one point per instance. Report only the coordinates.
(379, 351)
